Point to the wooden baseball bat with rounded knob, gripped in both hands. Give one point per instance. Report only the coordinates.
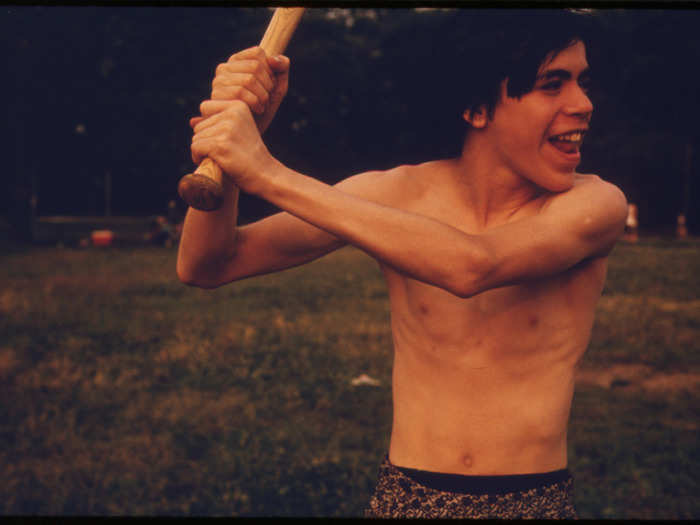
(203, 189)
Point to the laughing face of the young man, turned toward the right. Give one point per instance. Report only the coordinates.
(538, 136)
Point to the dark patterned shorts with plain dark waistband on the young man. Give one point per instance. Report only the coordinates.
(408, 493)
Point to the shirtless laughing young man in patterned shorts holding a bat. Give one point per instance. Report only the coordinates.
(494, 262)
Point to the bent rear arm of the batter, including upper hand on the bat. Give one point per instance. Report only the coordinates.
(211, 240)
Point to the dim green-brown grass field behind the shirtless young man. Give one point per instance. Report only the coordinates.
(125, 392)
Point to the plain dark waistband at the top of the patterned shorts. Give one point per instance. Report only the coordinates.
(483, 484)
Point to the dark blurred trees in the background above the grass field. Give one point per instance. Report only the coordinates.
(102, 95)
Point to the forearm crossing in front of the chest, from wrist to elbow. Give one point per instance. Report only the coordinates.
(421, 247)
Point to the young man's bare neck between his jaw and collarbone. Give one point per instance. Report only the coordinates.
(493, 190)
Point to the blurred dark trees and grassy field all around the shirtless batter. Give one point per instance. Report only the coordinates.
(125, 392)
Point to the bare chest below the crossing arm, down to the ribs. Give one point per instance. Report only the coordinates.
(540, 317)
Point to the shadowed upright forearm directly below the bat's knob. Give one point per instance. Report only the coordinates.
(208, 240)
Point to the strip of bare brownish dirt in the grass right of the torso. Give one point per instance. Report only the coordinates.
(638, 377)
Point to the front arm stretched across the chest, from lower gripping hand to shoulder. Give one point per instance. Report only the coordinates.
(583, 222)
